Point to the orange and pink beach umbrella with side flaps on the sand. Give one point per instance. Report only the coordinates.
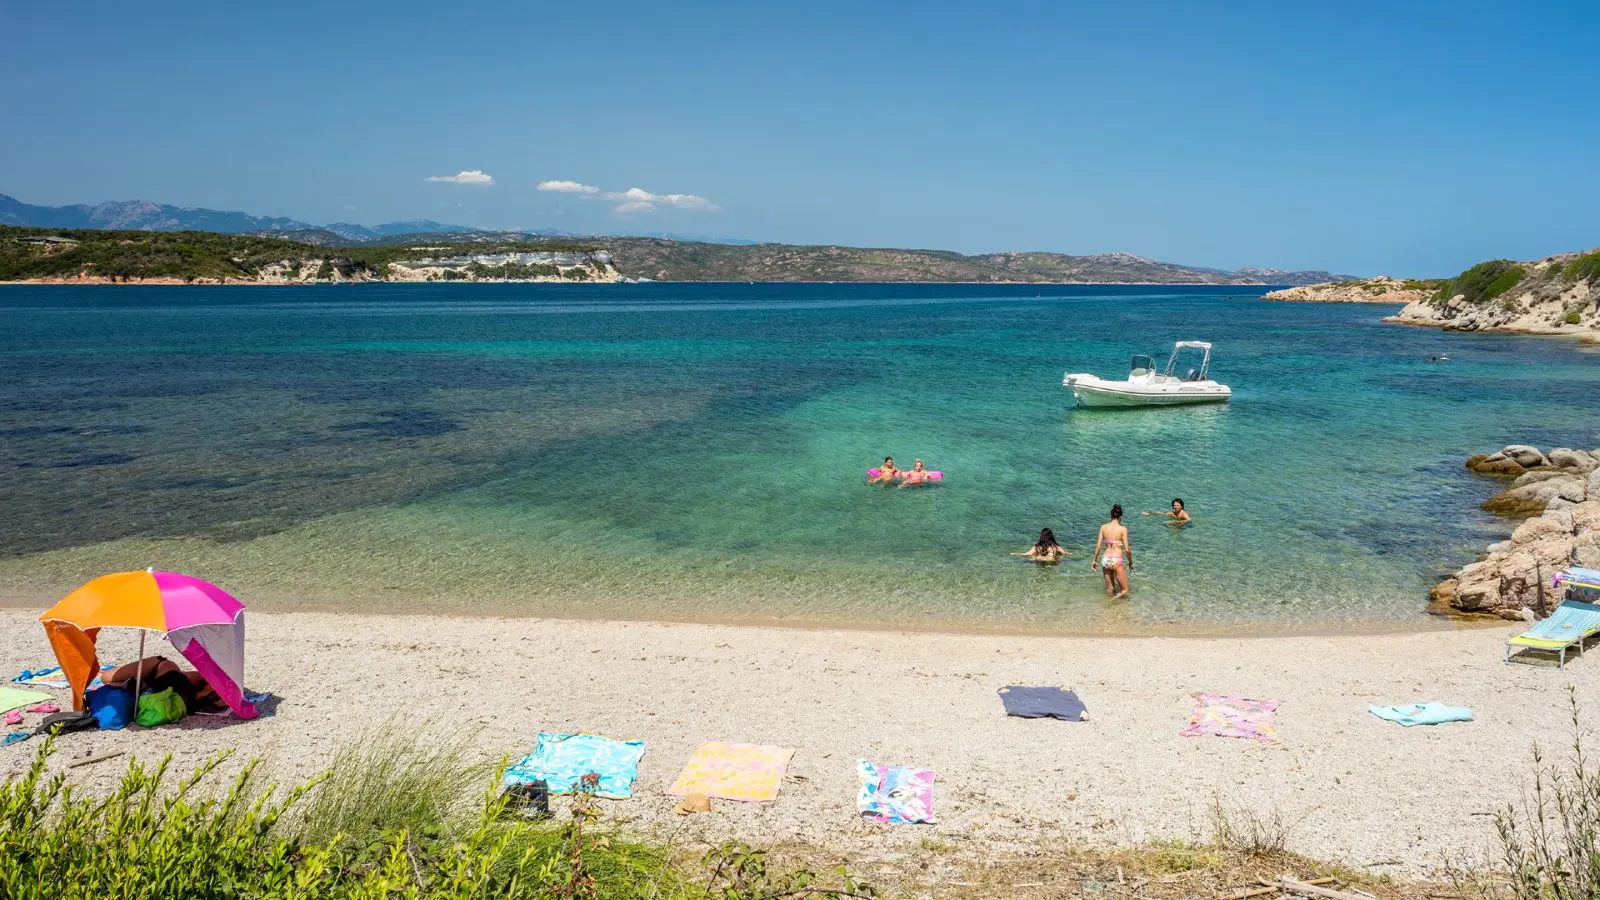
(204, 622)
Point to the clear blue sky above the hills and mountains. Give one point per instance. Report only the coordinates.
(1402, 139)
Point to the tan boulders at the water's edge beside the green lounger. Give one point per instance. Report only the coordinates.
(1558, 496)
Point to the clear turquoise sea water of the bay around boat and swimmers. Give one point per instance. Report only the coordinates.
(700, 451)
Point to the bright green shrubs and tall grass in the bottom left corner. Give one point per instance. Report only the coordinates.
(401, 818)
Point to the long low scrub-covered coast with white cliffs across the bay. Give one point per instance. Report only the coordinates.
(292, 257)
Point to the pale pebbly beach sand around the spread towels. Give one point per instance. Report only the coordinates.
(1366, 792)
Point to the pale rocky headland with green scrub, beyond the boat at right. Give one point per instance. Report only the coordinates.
(1558, 295)
